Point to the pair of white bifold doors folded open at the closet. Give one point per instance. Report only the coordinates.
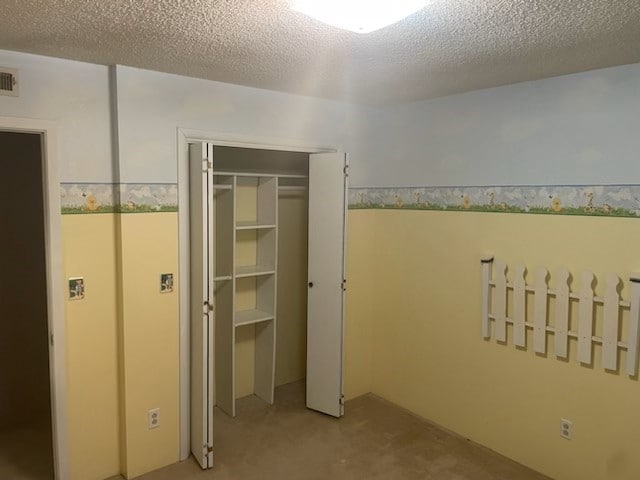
(327, 217)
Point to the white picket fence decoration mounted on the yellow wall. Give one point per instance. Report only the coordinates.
(494, 309)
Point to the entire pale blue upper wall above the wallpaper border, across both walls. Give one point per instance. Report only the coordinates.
(574, 129)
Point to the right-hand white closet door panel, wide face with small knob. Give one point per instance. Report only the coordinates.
(325, 326)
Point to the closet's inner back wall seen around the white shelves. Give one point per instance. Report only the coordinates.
(291, 265)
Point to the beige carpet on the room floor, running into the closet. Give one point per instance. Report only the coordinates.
(374, 440)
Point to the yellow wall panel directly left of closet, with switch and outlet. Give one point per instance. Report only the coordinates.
(150, 338)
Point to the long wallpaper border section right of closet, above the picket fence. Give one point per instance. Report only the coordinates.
(594, 200)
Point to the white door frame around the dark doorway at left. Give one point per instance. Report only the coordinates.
(55, 274)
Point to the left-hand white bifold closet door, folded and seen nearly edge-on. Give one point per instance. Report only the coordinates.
(201, 310)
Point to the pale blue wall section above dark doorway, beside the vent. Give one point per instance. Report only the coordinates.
(75, 96)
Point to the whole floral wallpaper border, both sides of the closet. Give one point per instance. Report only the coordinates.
(589, 200)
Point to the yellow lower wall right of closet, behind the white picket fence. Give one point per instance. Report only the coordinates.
(431, 359)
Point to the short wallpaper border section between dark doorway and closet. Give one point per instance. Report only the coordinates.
(84, 198)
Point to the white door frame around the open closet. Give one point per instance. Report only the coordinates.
(220, 139)
